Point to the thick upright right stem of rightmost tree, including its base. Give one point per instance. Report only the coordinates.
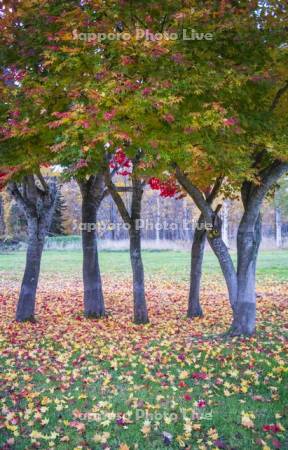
(248, 243)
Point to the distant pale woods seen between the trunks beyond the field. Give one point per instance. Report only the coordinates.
(162, 220)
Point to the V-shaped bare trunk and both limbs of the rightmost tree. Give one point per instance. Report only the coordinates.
(241, 284)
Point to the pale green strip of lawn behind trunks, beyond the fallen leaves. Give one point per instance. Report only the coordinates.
(272, 264)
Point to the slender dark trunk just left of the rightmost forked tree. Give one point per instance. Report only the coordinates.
(197, 255)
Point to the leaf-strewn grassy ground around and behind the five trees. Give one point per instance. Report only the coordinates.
(71, 383)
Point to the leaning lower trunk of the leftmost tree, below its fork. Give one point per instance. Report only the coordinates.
(36, 237)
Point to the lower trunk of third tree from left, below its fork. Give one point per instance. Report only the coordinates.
(140, 307)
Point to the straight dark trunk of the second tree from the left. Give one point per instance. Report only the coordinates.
(92, 194)
